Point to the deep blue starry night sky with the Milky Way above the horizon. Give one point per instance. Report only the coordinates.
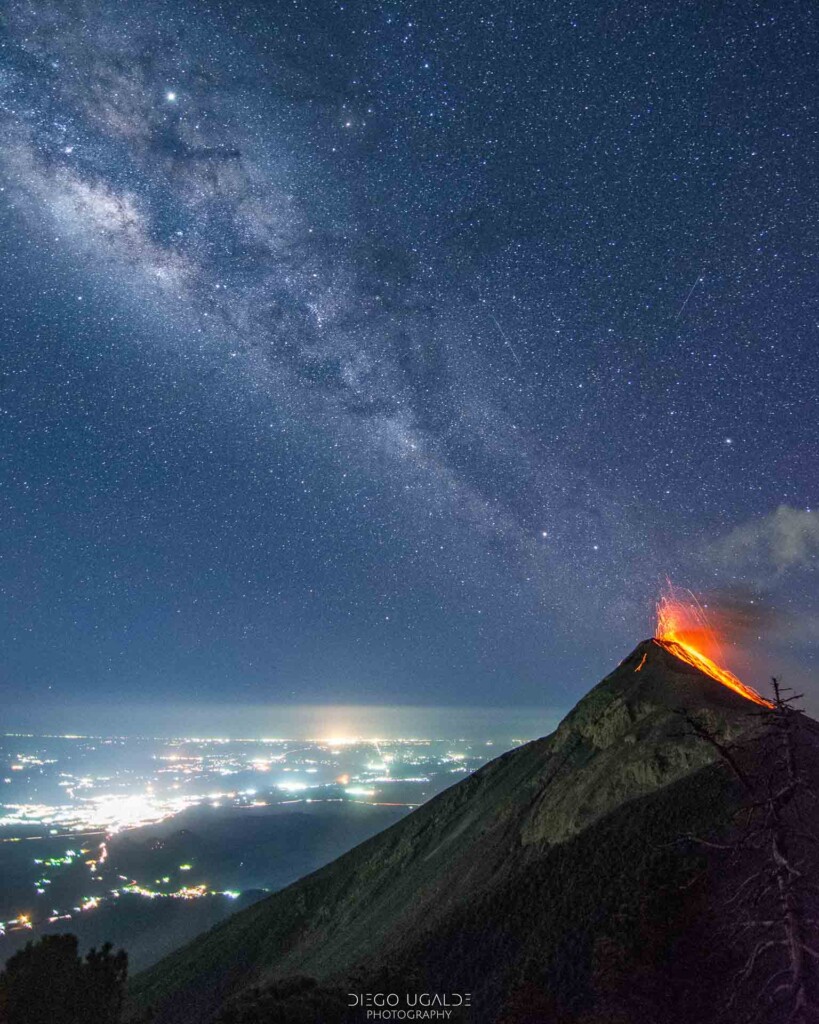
(396, 353)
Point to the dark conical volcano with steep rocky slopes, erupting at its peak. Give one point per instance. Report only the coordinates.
(552, 885)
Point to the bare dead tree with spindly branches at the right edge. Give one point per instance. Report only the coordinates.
(774, 907)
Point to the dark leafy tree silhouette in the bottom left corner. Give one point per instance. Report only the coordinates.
(50, 984)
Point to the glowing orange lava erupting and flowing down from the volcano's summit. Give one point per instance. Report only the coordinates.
(683, 629)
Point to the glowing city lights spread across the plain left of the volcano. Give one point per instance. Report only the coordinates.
(93, 791)
